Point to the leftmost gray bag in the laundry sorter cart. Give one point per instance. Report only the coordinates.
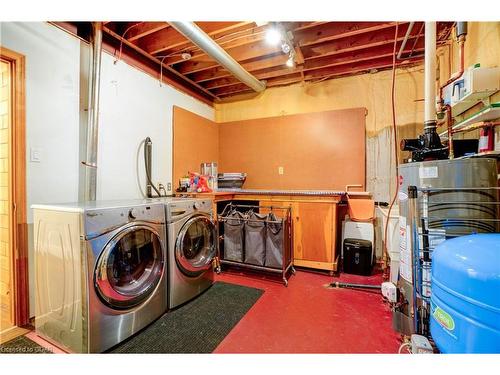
(233, 236)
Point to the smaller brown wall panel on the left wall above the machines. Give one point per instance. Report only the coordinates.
(195, 140)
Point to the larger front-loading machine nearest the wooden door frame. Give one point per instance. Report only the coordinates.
(100, 271)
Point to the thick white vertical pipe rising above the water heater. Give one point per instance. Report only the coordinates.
(430, 74)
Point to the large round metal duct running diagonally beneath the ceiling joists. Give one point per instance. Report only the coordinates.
(196, 35)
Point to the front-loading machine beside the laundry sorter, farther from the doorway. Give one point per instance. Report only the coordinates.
(192, 247)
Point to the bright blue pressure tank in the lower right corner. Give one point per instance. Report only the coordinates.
(465, 301)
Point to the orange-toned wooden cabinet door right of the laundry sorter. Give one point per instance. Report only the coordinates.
(313, 232)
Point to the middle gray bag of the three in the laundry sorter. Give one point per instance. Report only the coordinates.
(255, 239)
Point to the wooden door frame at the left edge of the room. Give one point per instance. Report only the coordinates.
(17, 166)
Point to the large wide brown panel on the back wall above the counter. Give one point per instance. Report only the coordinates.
(321, 150)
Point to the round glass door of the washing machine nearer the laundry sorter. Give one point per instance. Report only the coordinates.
(196, 246)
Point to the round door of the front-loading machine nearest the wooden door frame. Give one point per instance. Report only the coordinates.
(129, 268)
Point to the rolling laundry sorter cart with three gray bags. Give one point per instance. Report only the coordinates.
(257, 238)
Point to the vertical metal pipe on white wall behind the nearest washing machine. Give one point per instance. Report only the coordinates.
(90, 163)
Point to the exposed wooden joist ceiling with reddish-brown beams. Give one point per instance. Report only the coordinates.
(323, 50)
